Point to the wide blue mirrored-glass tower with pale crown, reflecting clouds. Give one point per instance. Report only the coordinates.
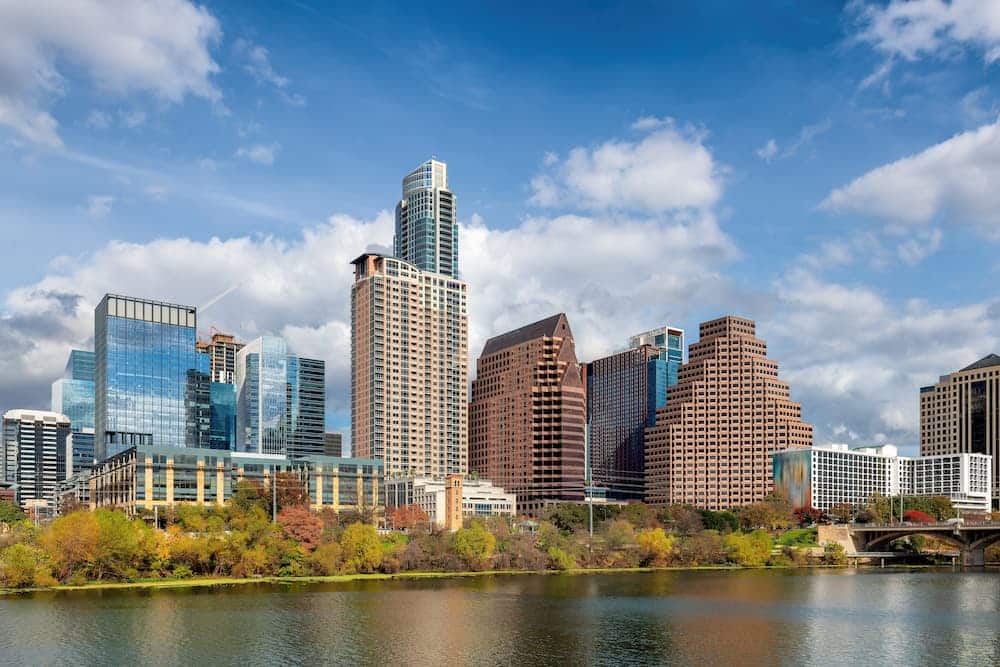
(151, 387)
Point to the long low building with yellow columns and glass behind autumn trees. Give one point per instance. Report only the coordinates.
(146, 477)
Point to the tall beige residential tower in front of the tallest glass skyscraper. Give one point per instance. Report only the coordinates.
(409, 367)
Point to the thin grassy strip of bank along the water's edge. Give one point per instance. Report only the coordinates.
(212, 582)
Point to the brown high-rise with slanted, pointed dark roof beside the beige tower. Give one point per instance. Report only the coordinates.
(527, 414)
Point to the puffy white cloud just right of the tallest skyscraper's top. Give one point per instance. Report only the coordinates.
(668, 169)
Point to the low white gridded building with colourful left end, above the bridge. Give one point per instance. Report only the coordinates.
(828, 475)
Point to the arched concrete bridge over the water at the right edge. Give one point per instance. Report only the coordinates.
(861, 539)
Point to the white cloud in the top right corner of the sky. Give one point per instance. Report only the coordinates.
(917, 28)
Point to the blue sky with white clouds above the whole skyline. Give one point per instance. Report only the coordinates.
(829, 170)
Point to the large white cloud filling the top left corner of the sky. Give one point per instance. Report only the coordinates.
(159, 47)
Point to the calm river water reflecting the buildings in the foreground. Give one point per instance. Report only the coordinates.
(673, 618)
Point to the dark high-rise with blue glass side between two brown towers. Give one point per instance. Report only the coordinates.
(624, 390)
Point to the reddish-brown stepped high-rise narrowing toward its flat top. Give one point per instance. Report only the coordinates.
(712, 443)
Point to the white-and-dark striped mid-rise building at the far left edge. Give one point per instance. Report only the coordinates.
(34, 446)
